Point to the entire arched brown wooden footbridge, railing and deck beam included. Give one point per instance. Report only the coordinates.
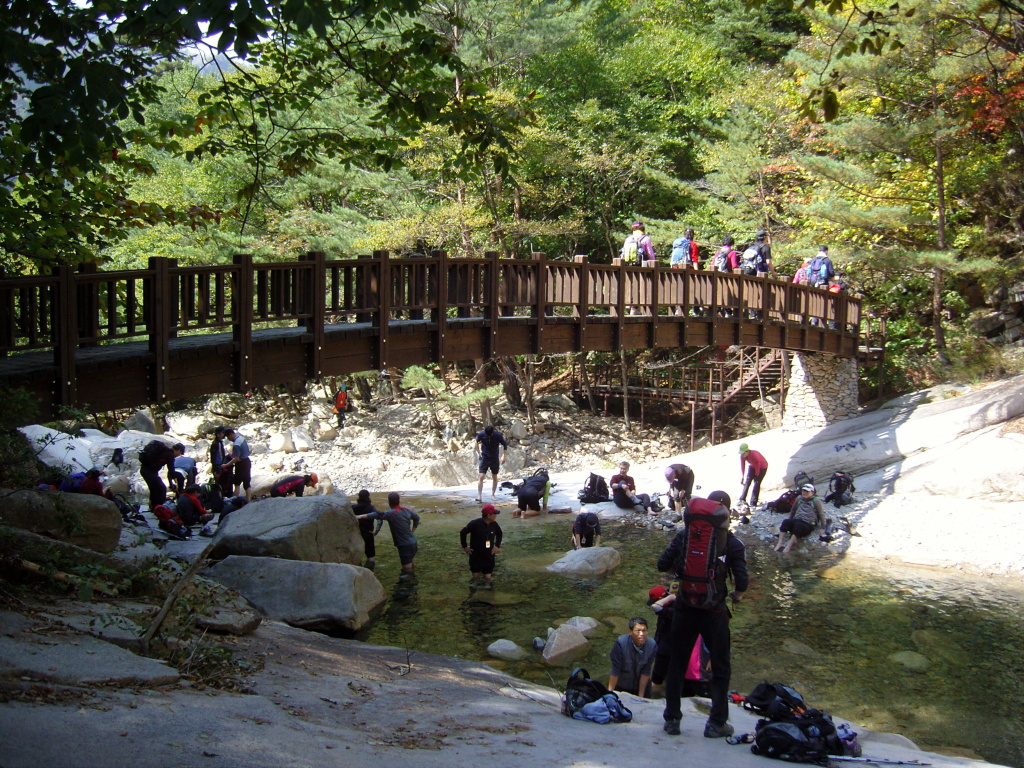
(116, 339)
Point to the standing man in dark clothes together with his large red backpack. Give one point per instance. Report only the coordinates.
(703, 556)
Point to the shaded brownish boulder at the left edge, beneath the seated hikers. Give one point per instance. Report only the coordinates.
(82, 520)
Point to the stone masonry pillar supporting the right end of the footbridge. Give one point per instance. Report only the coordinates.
(823, 391)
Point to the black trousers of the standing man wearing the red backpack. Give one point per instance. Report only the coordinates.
(688, 624)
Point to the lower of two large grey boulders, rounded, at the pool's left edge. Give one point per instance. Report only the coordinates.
(335, 599)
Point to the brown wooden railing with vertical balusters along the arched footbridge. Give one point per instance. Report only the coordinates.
(89, 308)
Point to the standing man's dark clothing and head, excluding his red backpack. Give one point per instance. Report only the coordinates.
(712, 625)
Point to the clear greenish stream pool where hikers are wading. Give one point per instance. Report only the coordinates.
(829, 627)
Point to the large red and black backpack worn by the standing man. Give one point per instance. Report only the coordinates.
(707, 525)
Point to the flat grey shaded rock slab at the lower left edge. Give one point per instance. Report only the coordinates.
(83, 661)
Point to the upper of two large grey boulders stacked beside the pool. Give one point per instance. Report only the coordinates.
(320, 529)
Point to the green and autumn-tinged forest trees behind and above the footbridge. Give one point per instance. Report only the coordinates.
(893, 133)
